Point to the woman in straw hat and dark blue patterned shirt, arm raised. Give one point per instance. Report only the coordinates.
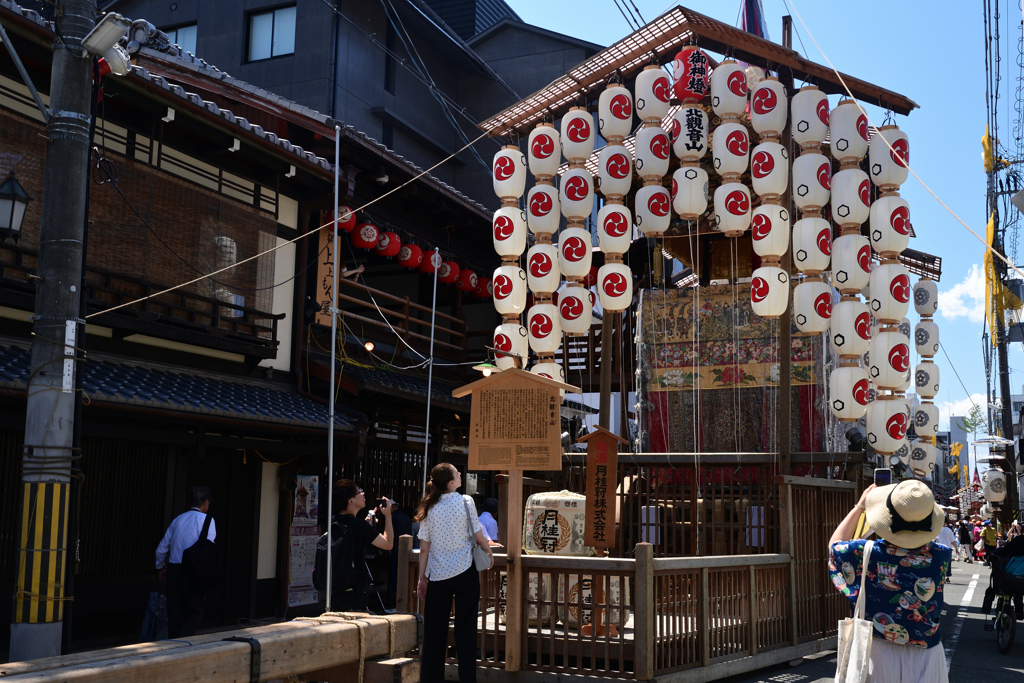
(906, 574)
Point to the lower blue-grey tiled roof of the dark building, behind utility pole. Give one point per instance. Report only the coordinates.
(107, 381)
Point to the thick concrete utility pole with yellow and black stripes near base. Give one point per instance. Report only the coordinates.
(49, 452)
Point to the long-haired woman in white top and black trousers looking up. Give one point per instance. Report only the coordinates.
(447, 572)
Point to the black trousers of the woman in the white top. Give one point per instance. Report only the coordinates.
(465, 588)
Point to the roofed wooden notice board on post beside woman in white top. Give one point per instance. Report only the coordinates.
(516, 425)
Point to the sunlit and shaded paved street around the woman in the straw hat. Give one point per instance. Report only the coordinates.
(971, 652)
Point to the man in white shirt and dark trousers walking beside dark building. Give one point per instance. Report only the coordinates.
(185, 607)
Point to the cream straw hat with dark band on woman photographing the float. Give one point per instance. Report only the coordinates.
(905, 515)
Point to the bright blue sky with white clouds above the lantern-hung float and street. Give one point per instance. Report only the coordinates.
(929, 52)
